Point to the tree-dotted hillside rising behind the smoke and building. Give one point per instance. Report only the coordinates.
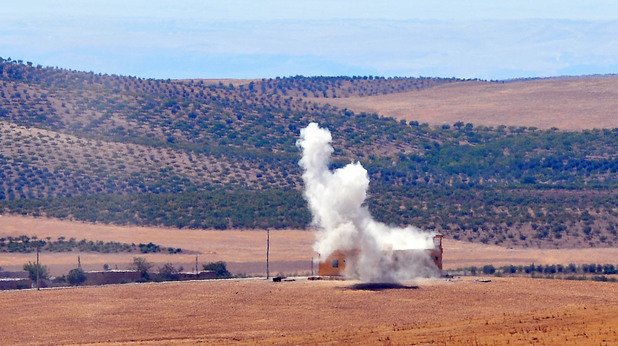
(204, 154)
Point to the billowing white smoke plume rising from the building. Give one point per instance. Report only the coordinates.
(344, 223)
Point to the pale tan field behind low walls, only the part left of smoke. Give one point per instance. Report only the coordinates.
(243, 250)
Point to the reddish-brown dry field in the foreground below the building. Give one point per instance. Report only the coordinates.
(516, 311)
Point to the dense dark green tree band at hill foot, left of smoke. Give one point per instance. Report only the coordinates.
(217, 208)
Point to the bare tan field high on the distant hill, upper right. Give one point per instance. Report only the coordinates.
(566, 103)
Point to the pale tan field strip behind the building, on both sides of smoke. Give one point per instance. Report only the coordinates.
(244, 251)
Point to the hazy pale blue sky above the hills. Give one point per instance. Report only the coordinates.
(249, 39)
